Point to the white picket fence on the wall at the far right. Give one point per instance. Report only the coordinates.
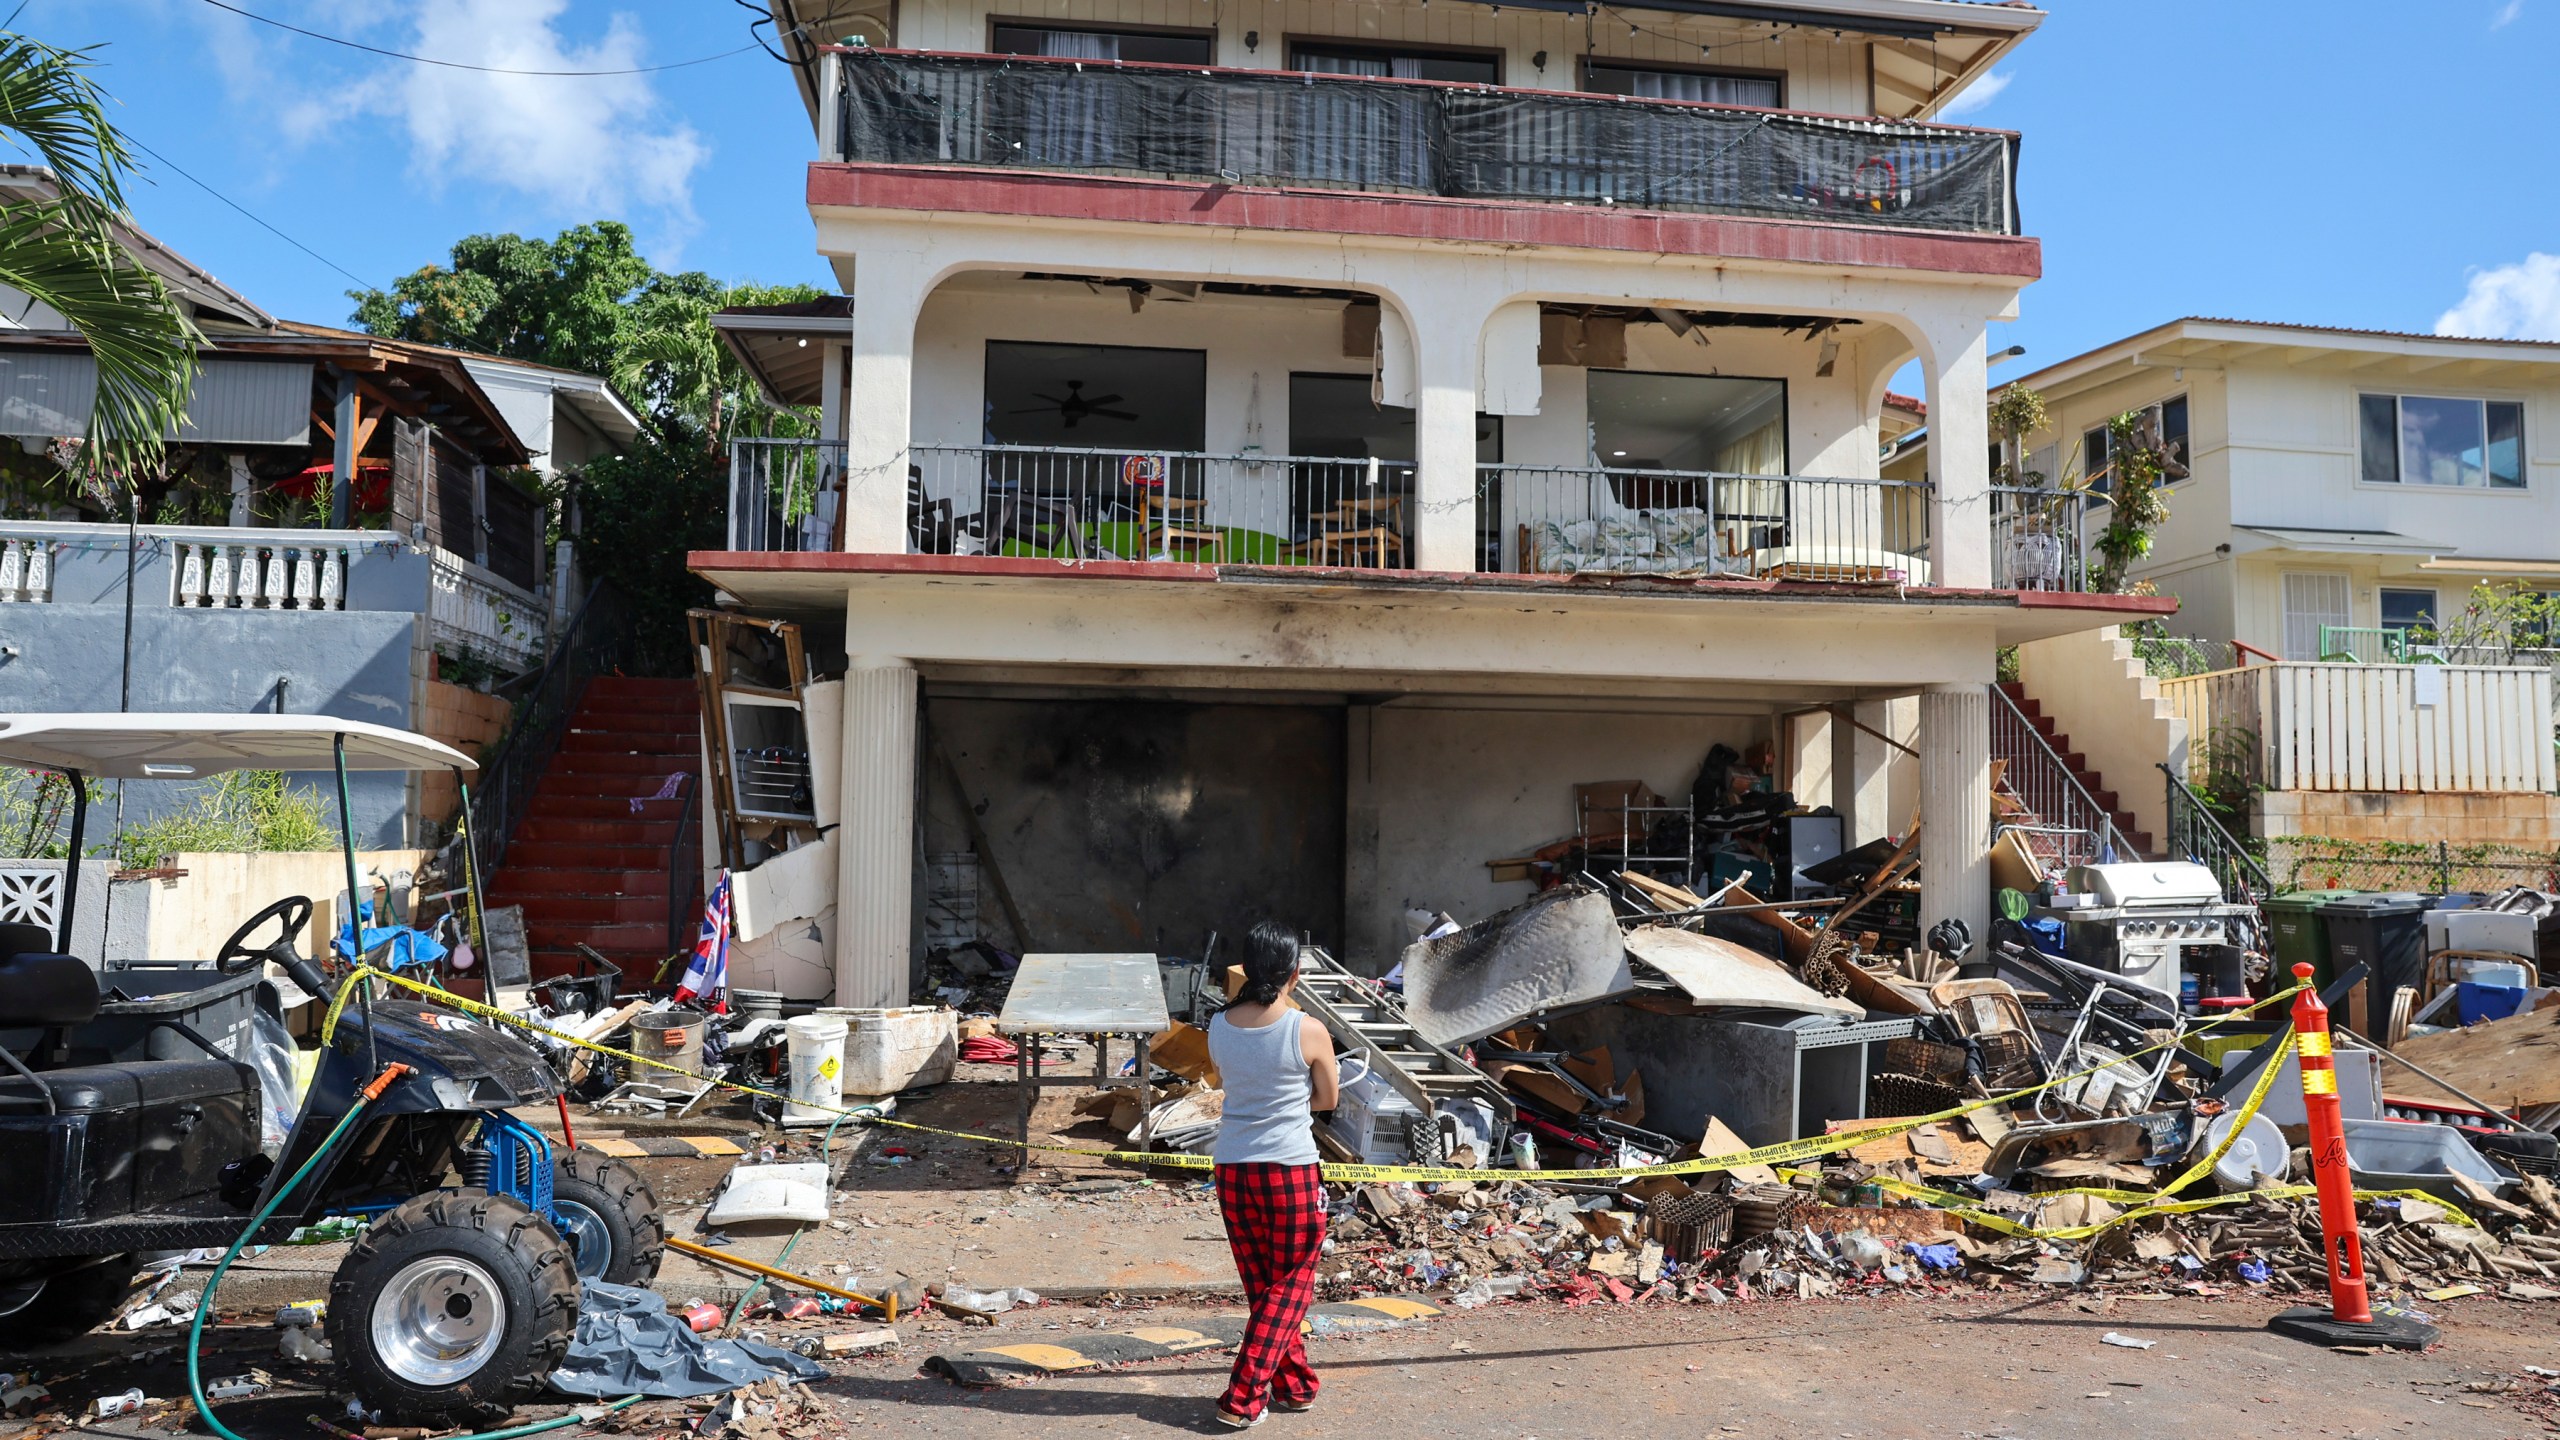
(2374, 729)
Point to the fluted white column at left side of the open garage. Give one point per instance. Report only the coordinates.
(877, 842)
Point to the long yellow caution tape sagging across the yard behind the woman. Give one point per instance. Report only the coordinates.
(1788, 1152)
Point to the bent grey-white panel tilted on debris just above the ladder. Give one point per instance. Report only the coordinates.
(1560, 949)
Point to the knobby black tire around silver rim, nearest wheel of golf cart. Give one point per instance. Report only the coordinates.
(521, 1254)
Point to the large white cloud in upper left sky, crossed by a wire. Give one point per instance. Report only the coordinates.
(580, 147)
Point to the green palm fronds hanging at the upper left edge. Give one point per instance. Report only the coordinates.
(65, 252)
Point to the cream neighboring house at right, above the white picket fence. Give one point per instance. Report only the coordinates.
(2346, 483)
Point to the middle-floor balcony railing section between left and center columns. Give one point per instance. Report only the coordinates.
(1161, 506)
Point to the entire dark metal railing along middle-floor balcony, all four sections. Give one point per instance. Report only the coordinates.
(1332, 511)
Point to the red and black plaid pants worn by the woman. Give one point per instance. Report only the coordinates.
(1276, 1226)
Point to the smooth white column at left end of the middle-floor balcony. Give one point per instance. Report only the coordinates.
(879, 398)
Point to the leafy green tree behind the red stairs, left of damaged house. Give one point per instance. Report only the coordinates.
(588, 301)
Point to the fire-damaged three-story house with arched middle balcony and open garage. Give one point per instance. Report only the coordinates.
(1284, 450)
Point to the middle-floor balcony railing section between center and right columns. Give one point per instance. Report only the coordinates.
(1660, 521)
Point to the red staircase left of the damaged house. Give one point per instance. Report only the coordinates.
(588, 865)
